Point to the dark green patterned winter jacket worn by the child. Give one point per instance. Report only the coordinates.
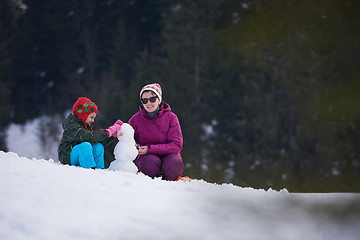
(75, 133)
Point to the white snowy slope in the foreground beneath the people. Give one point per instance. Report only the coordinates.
(45, 200)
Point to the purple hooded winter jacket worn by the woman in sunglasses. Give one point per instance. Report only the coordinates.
(162, 134)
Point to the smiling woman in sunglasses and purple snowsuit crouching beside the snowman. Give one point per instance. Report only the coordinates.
(158, 136)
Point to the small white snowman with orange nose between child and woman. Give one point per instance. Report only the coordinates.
(125, 150)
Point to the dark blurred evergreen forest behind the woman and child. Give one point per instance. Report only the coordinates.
(266, 91)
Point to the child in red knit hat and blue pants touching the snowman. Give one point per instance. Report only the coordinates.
(80, 145)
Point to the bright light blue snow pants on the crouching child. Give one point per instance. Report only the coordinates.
(87, 156)
